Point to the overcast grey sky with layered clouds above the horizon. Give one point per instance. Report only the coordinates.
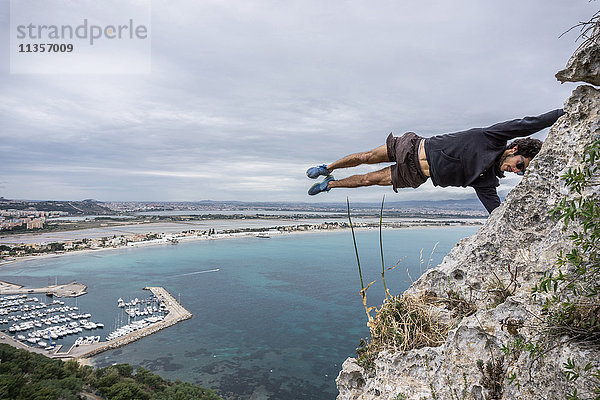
(244, 96)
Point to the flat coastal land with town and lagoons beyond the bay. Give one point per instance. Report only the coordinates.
(30, 229)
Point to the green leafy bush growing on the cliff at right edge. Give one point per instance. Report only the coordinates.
(572, 293)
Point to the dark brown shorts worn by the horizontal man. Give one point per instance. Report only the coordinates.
(404, 150)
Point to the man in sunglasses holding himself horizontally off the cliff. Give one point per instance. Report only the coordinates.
(476, 157)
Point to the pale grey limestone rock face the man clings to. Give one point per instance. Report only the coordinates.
(518, 236)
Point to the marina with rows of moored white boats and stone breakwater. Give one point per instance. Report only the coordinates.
(39, 324)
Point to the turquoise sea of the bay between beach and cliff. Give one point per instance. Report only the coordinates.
(275, 322)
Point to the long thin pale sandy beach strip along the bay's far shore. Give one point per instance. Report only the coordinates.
(245, 234)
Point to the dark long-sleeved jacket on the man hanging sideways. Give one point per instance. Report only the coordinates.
(470, 158)
